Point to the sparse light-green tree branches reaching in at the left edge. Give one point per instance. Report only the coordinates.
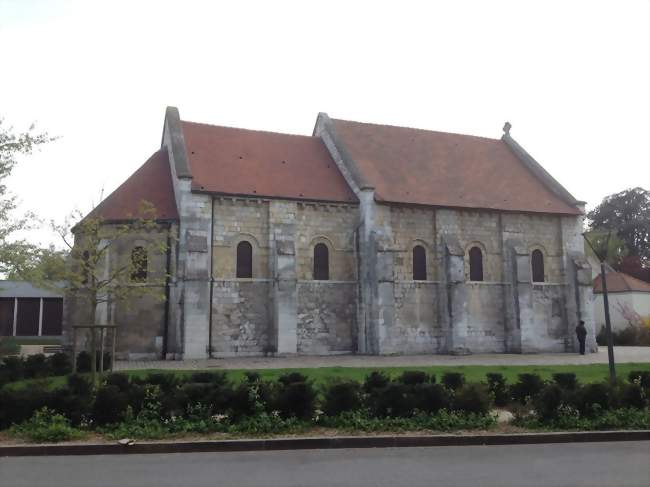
(12, 145)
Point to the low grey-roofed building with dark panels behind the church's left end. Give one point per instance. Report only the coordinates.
(30, 314)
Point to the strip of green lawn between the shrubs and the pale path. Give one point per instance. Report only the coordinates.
(473, 373)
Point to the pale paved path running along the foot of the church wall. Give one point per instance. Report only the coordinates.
(622, 354)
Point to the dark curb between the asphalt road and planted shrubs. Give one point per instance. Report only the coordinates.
(324, 443)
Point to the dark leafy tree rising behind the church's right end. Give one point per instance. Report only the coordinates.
(627, 215)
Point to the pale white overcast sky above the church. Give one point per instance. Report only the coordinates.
(573, 78)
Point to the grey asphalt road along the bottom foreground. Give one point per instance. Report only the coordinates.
(578, 464)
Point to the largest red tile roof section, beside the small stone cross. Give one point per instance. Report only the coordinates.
(413, 166)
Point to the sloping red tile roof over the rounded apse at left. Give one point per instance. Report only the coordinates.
(152, 182)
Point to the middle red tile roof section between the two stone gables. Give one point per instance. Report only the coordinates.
(235, 161)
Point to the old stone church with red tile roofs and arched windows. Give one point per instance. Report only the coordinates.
(361, 238)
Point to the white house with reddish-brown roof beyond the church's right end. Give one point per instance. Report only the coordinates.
(627, 295)
